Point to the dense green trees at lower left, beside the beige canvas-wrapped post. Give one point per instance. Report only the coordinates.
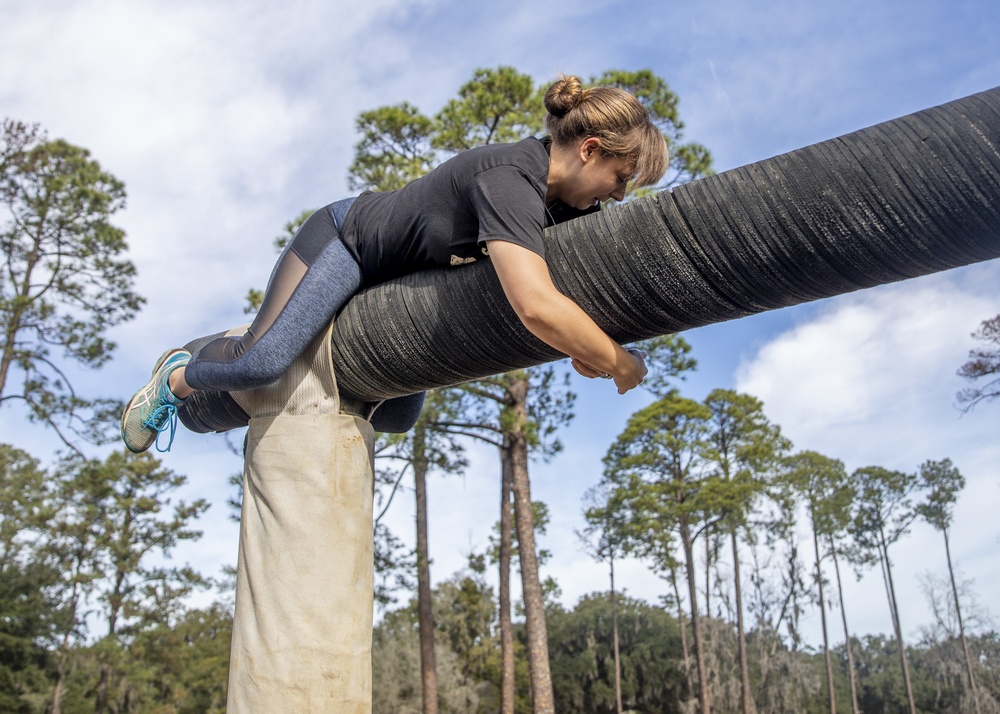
(83, 542)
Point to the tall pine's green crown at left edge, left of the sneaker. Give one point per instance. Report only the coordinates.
(65, 282)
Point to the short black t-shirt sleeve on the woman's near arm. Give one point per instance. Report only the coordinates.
(509, 208)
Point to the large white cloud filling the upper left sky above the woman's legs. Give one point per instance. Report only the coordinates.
(223, 120)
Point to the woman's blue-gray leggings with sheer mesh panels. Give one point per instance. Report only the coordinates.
(314, 277)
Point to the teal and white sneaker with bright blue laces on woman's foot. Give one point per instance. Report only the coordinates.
(153, 409)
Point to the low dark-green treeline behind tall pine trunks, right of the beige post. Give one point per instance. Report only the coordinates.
(582, 661)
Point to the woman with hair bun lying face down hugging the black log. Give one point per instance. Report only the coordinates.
(490, 201)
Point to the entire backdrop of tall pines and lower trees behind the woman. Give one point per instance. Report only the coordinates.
(749, 535)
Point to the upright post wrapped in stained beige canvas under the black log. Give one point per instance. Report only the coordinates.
(304, 583)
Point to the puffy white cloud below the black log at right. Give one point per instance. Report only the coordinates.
(873, 368)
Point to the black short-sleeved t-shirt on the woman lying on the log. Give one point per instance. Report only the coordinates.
(494, 192)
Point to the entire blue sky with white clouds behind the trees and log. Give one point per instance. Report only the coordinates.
(226, 119)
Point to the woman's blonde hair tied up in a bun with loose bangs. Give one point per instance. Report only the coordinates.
(612, 115)
